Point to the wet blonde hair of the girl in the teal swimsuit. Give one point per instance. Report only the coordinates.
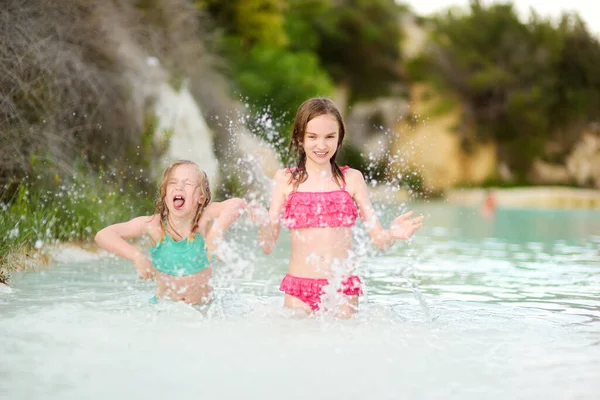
(161, 206)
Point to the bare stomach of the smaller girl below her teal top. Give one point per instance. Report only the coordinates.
(192, 289)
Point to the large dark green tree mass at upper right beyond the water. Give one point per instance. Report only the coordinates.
(520, 82)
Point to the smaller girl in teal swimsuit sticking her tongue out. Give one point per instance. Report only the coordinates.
(185, 230)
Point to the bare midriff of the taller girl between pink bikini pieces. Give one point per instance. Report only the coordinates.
(320, 252)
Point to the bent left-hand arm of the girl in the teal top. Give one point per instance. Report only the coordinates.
(113, 238)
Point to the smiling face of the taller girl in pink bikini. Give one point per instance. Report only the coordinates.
(321, 139)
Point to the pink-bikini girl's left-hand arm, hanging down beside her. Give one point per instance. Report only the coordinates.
(269, 231)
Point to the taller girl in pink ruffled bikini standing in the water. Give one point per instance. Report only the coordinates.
(319, 202)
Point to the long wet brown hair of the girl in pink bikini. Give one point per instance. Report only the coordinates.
(307, 111)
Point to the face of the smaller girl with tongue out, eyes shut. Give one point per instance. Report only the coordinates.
(183, 190)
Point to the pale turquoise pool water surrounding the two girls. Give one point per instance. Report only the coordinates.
(471, 308)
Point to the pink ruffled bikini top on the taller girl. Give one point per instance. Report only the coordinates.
(320, 209)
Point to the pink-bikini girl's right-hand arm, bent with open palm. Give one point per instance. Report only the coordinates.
(402, 227)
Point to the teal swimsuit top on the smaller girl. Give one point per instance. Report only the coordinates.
(185, 257)
